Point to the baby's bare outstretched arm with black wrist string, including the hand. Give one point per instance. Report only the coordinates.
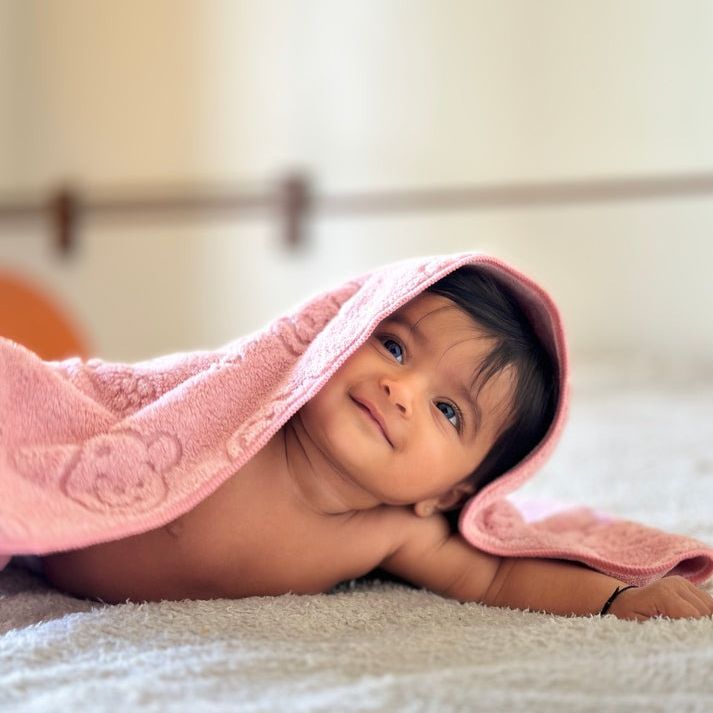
(430, 556)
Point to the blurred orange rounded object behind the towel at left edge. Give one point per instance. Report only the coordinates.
(33, 319)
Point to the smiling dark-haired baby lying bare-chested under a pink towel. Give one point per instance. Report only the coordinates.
(449, 392)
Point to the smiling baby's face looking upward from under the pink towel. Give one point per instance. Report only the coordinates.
(400, 417)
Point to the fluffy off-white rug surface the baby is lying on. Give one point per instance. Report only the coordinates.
(639, 445)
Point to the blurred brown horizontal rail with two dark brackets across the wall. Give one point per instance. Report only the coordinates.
(292, 201)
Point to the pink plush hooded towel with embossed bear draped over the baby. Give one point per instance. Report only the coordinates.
(94, 451)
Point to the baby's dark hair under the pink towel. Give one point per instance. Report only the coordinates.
(496, 311)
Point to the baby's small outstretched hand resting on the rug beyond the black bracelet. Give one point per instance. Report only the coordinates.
(674, 597)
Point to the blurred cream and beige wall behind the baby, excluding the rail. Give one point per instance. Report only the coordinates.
(368, 95)
